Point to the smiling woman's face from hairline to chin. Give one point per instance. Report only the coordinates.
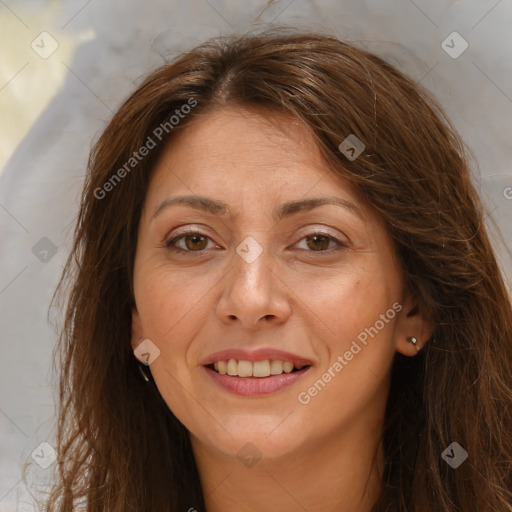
(252, 255)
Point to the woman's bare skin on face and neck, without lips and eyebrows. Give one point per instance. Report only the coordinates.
(298, 295)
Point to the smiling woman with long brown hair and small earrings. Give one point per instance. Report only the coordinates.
(284, 229)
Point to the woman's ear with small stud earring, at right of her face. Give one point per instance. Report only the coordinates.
(411, 323)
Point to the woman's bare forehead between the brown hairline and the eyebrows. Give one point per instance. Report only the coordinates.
(245, 149)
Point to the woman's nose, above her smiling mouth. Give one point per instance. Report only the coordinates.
(254, 295)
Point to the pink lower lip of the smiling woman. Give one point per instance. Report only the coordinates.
(255, 386)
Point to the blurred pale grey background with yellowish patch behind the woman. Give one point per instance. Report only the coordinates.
(65, 67)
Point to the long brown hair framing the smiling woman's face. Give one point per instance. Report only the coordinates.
(120, 447)
